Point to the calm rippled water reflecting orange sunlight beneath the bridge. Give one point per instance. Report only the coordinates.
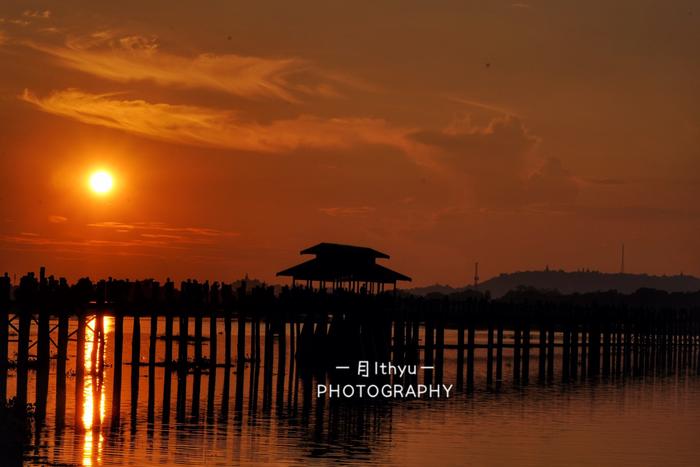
(653, 421)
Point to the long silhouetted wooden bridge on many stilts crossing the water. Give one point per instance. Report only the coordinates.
(302, 334)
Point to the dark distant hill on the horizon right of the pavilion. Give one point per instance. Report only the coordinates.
(570, 282)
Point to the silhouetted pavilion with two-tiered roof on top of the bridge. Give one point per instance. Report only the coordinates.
(345, 267)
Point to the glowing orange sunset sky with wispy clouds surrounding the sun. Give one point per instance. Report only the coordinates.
(515, 134)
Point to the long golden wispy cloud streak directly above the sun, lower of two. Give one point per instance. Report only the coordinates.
(205, 126)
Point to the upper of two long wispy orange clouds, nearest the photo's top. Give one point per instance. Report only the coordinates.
(133, 57)
